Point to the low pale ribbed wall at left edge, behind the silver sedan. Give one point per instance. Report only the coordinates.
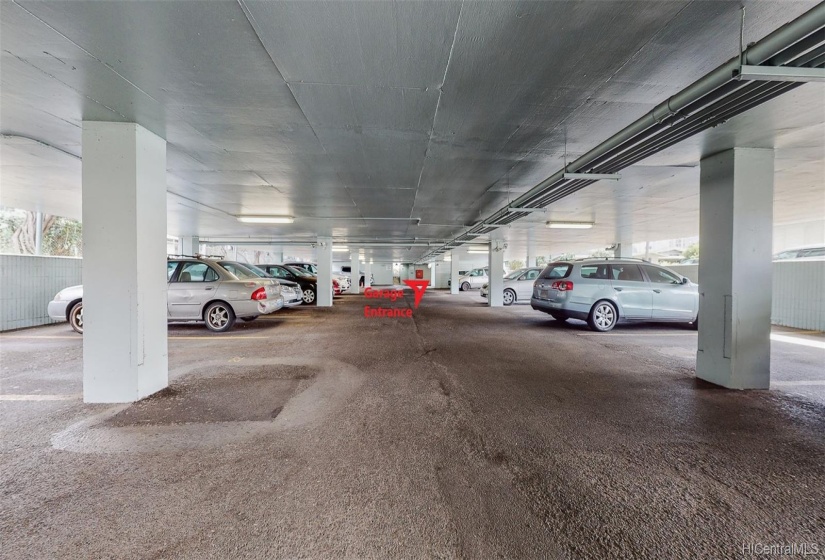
(29, 283)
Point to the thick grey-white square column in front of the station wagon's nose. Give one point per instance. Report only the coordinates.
(735, 229)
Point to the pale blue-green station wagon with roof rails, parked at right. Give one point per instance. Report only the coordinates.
(605, 292)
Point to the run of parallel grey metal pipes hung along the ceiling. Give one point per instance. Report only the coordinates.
(711, 100)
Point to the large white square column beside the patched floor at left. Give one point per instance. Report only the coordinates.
(125, 356)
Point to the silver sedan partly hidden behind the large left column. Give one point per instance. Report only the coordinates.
(198, 290)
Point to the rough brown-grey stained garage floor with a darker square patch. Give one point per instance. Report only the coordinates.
(464, 433)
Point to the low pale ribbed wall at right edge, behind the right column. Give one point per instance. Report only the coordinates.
(798, 292)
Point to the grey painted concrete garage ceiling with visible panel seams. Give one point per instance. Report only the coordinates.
(341, 112)
